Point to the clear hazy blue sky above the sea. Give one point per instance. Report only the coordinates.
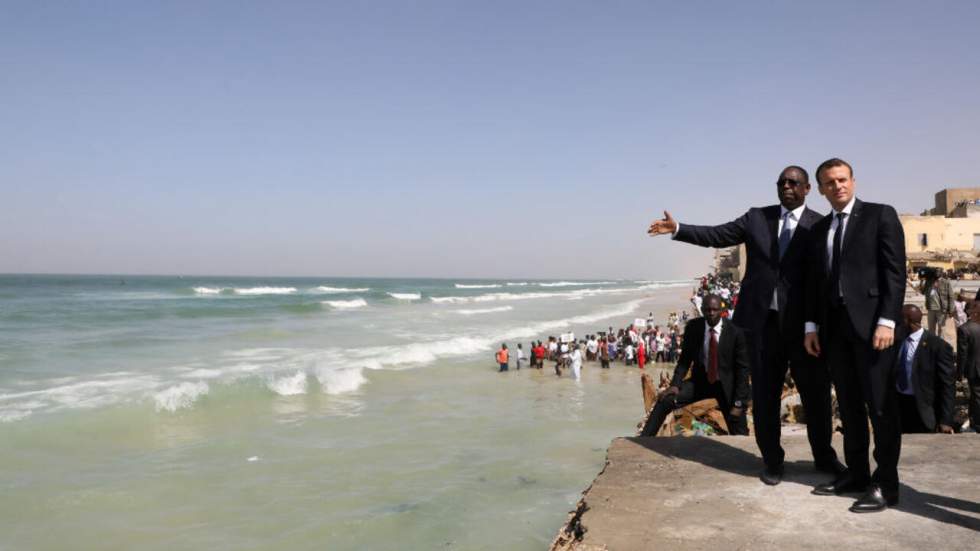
(528, 139)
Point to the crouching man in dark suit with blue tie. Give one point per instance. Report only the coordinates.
(924, 376)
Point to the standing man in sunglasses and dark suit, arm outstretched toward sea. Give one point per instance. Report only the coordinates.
(770, 310)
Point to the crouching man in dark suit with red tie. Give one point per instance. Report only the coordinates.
(714, 363)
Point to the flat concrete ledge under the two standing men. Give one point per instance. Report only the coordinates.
(704, 492)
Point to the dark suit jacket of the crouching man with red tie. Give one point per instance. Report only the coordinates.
(733, 358)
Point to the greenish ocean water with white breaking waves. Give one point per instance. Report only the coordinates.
(301, 413)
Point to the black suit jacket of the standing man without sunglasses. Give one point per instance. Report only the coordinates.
(872, 273)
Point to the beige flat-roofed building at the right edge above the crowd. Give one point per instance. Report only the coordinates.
(948, 235)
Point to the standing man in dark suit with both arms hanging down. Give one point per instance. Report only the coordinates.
(855, 290)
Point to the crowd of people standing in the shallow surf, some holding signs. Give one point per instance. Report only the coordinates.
(637, 344)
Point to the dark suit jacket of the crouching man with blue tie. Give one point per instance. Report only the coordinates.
(932, 377)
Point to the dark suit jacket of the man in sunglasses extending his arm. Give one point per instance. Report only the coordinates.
(765, 272)
